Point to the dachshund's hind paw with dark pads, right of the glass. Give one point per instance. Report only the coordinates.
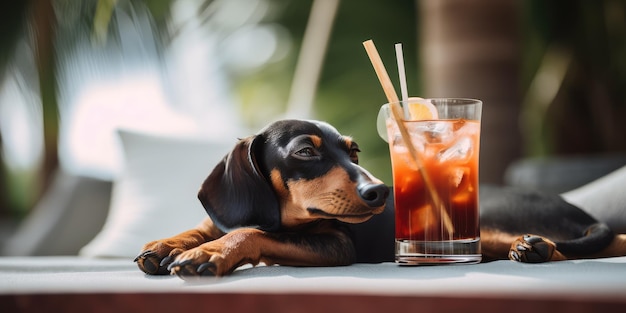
(533, 249)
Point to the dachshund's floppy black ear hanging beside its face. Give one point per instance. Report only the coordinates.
(236, 194)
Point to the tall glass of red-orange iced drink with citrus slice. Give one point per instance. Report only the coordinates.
(436, 190)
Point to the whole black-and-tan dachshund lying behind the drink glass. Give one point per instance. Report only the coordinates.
(294, 194)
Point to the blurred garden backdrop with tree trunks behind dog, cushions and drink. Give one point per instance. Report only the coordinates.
(552, 75)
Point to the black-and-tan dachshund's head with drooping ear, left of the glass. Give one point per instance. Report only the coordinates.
(291, 173)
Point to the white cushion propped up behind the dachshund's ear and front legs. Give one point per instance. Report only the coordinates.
(156, 195)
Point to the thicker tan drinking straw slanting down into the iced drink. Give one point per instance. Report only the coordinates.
(440, 214)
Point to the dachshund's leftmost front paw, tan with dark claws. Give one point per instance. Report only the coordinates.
(156, 256)
